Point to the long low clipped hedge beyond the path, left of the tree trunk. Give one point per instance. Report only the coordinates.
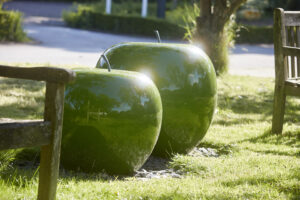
(135, 25)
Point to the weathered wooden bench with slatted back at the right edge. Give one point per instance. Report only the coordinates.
(287, 62)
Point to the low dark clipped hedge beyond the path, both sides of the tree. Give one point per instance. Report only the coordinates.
(136, 25)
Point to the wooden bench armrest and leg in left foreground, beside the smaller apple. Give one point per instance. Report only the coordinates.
(45, 133)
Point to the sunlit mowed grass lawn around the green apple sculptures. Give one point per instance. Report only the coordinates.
(253, 164)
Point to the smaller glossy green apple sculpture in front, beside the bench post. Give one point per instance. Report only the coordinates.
(111, 121)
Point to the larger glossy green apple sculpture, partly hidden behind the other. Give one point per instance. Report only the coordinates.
(186, 81)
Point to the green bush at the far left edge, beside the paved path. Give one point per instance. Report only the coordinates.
(11, 26)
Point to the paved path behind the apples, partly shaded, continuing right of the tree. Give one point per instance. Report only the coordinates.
(57, 44)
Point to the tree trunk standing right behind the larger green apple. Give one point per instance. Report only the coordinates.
(211, 29)
